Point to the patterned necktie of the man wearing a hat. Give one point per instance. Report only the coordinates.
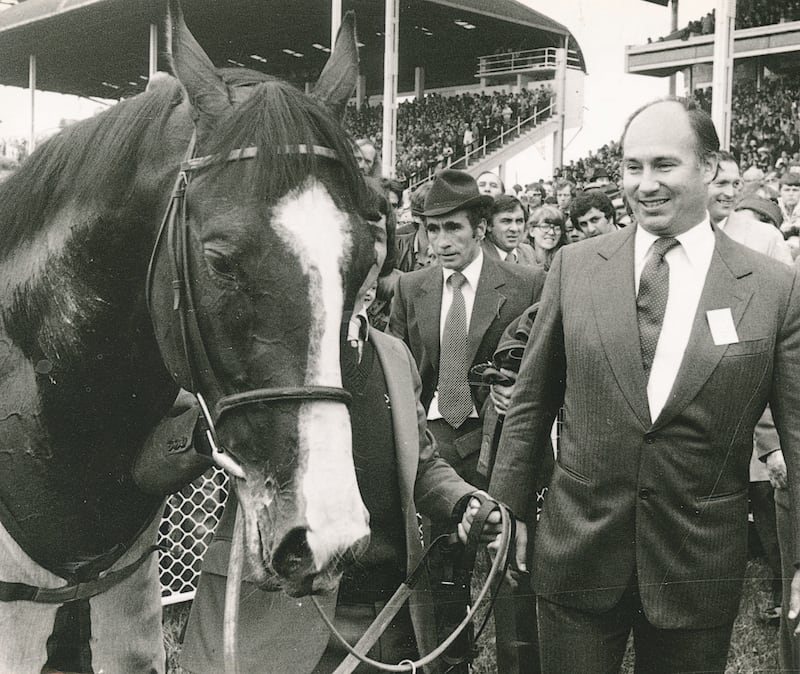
(455, 401)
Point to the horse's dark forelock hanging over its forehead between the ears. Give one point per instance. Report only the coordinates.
(277, 115)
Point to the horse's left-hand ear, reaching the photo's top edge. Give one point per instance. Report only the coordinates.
(206, 90)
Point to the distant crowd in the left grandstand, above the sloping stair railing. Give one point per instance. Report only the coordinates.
(437, 129)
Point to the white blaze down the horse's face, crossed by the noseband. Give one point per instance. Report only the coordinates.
(311, 225)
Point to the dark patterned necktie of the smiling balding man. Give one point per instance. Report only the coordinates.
(651, 302)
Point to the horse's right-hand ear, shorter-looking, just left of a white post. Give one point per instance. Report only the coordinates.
(338, 80)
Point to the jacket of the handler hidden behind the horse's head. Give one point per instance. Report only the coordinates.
(283, 634)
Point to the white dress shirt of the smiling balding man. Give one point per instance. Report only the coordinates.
(688, 267)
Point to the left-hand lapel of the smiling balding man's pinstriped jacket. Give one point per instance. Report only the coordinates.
(614, 302)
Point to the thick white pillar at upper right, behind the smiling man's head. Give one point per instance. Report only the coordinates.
(722, 80)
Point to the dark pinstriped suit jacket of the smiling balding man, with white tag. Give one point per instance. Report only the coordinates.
(665, 497)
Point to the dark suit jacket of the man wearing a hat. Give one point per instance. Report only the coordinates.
(504, 291)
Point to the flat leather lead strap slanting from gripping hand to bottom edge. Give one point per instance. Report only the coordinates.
(395, 603)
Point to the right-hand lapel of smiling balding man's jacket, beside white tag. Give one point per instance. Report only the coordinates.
(723, 289)
